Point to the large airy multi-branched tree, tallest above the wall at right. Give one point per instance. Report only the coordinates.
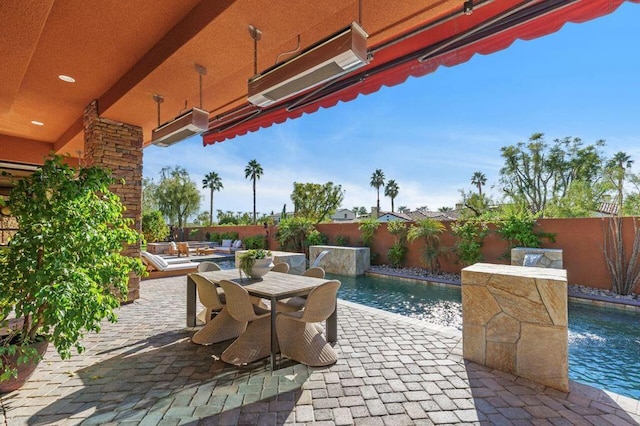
(537, 172)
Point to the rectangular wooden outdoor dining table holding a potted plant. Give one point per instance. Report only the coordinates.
(273, 286)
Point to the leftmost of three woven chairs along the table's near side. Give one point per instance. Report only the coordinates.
(223, 326)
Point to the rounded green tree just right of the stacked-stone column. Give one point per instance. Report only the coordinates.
(178, 196)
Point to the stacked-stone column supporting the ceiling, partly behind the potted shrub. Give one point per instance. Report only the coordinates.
(118, 147)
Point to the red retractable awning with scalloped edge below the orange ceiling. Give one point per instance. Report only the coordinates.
(452, 40)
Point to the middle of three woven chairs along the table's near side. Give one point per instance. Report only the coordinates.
(255, 343)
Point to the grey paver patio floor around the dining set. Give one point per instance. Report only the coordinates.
(393, 370)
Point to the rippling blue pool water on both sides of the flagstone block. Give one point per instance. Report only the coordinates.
(604, 343)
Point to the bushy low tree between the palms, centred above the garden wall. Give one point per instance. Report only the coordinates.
(316, 202)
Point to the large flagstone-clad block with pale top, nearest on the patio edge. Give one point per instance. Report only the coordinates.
(514, 319)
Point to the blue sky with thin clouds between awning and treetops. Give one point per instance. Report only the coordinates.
(432, 133)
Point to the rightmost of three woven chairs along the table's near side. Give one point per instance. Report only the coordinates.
(299, 338)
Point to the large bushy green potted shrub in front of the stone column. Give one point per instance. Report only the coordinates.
(62, 273)
